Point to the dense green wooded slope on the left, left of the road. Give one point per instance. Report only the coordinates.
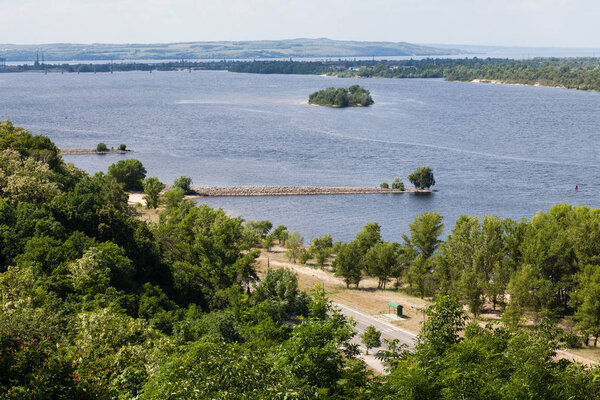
(97, 304)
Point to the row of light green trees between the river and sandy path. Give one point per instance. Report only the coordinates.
(548, 266)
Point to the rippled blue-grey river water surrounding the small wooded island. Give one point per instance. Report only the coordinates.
(495, 149)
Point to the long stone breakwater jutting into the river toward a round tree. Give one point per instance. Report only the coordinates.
(214, 191)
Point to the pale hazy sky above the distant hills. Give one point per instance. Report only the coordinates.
(568, 23)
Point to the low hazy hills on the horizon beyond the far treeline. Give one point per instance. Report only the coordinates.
(218, 50)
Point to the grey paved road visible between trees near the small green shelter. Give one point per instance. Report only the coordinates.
(388, 331)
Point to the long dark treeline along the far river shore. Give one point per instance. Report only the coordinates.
(572, 73)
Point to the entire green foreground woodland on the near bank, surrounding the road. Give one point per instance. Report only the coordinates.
(98, 304)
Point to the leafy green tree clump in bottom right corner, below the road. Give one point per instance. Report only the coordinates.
(484, 363)
